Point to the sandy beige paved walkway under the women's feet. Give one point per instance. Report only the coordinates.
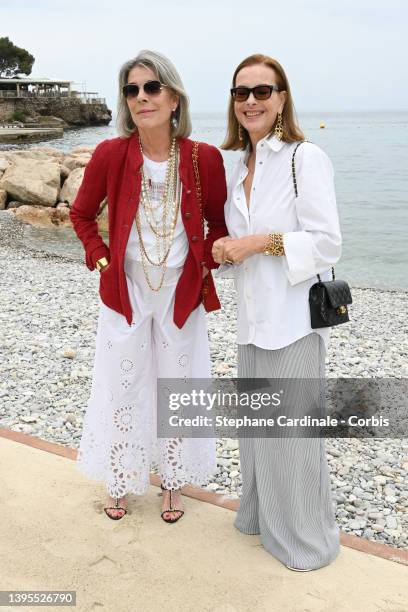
(55, 535)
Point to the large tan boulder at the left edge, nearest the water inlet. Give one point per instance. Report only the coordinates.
(32, 181)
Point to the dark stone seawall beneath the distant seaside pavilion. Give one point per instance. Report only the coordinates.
(73, 111)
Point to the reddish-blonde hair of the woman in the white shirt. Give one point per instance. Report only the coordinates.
(291, 130)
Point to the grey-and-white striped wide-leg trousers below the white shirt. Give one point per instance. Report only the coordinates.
(286, 493)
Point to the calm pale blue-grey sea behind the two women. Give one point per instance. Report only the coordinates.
(369, 152)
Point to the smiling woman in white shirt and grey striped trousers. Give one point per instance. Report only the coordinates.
(278, 243)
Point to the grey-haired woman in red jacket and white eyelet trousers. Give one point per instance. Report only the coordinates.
(155, 283)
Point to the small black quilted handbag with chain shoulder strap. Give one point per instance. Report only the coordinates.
(328, 300)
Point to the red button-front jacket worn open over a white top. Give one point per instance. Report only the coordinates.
(114, 171)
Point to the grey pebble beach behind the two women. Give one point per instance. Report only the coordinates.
(47, 356)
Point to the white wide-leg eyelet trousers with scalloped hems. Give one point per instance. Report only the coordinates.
(119, 444)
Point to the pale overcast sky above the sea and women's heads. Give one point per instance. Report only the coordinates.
(346, 55)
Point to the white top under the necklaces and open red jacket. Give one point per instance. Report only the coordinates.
(156, 172)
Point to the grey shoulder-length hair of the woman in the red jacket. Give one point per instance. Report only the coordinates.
(167, 74)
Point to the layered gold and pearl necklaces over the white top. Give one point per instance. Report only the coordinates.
(161, 217)
